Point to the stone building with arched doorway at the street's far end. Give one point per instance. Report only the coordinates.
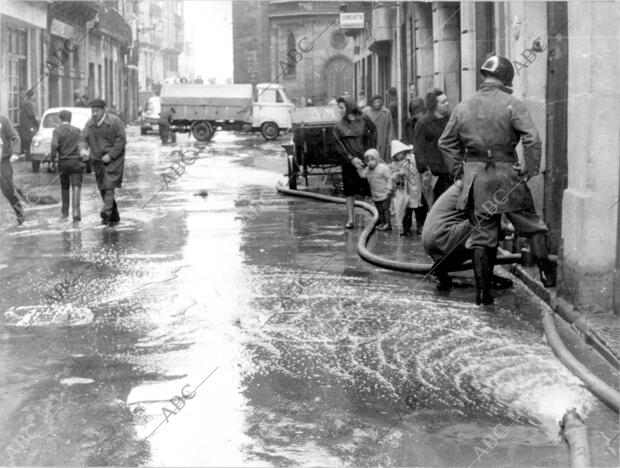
(295, 43)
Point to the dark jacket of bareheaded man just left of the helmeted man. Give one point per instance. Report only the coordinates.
(426, 135)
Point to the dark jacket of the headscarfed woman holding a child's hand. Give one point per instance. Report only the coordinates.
(355, 137)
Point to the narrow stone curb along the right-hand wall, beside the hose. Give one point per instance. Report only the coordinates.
(566, 311)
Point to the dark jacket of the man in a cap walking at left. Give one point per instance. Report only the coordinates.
(108, 138)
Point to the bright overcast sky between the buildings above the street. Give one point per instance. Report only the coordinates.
(211, 22)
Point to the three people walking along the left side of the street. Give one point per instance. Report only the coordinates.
(102, 140)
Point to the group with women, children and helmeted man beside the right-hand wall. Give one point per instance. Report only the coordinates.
(464, 175)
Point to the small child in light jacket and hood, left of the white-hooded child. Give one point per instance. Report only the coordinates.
(379, 178)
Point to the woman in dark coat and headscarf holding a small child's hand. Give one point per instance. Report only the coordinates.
(355, 133)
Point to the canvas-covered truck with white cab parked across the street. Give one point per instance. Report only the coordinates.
(201, 109)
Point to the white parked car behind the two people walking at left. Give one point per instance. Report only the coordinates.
(41, 147)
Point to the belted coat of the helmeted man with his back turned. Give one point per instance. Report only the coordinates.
(492, 119)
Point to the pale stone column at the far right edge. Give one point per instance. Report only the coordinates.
(589, 211)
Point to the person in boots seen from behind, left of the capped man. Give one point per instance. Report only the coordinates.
(65, 140)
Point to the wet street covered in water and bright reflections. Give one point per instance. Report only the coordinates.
(222, 324)
